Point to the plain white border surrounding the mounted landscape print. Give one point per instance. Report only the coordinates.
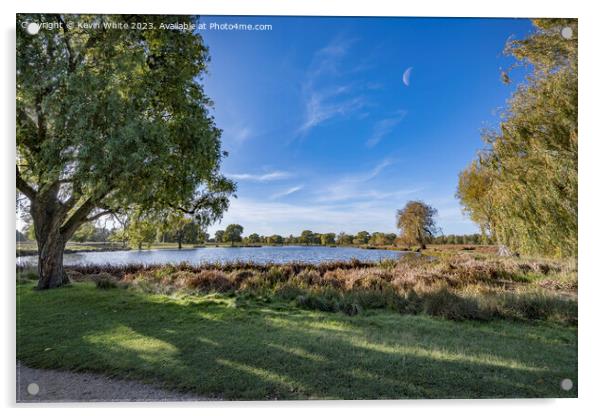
(589, 181)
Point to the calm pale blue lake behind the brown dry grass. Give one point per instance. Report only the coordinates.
(262, 255)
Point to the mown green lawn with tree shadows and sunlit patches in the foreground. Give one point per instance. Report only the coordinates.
(221, 346)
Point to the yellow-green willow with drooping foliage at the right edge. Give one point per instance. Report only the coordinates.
(530, 162)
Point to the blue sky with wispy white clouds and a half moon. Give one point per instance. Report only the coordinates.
(324, 133)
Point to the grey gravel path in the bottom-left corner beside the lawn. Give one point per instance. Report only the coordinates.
(65, 386)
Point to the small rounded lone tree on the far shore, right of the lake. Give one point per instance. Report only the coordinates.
(416, 222)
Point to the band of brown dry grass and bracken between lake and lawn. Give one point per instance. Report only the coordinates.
(457, 286)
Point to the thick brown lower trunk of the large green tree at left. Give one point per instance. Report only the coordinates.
(50, 261)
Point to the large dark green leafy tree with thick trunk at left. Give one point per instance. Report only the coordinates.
(110, 119)
